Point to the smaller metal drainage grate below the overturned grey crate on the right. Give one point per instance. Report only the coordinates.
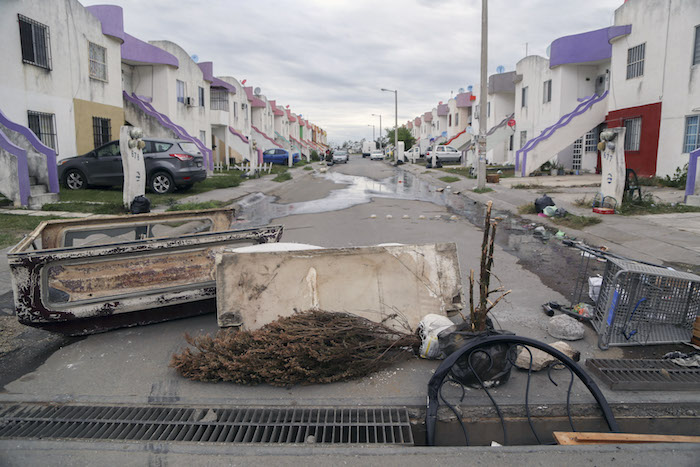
(644, 375)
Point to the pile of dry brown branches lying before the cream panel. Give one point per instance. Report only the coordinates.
(306, 348)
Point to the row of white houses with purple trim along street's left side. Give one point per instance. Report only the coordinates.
(72, 75)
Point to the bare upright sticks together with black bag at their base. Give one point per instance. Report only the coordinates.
(490, 366)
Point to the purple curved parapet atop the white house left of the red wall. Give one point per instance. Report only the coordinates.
(590, 46)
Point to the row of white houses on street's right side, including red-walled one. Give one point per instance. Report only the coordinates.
(642, 73)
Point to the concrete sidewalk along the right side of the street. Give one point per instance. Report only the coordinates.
(657, 238)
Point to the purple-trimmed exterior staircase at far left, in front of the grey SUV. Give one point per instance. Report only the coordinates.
(28, 172)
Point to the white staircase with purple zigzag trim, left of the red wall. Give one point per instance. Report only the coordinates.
(553, 139)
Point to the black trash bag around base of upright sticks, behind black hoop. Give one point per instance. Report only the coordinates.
(492, 365)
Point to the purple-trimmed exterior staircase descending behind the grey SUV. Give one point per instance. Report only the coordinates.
(157, 118)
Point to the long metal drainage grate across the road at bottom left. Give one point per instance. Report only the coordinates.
(371, 425)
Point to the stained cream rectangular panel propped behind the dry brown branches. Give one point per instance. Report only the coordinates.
(397, 285)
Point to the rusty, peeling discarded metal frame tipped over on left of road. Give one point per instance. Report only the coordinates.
(81, 276)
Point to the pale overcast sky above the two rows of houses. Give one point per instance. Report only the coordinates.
(328, 59)
